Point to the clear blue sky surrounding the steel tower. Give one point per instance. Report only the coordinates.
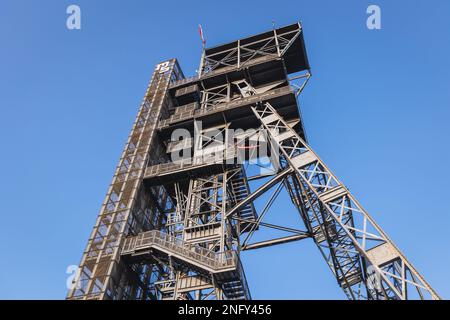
(376, 110)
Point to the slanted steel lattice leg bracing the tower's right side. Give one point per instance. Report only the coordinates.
(356, 239)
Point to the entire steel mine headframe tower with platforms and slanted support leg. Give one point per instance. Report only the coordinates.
(175, 228)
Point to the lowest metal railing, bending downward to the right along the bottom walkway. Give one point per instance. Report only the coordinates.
(189, 251)
